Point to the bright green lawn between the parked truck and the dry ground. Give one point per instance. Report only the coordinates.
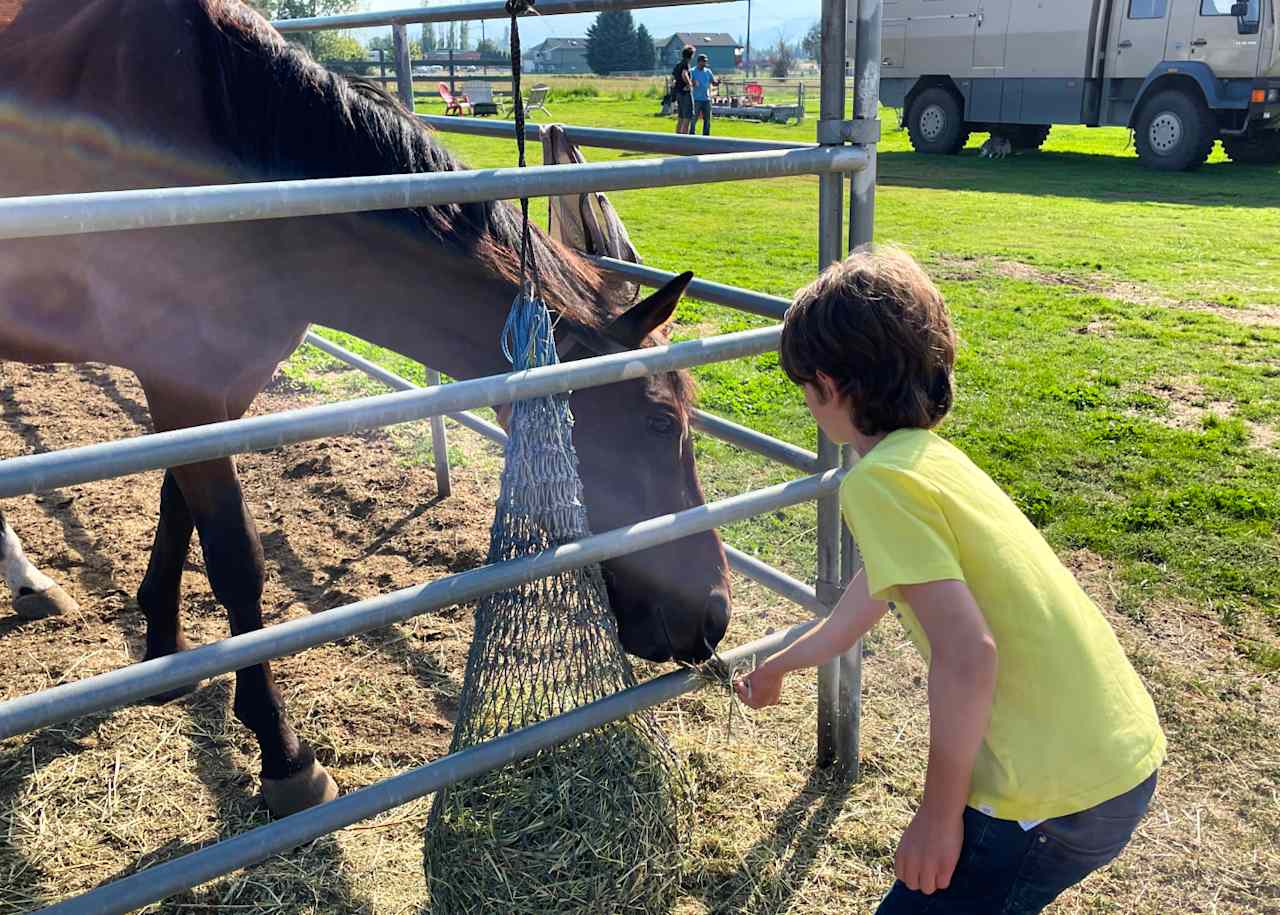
(1121, 363)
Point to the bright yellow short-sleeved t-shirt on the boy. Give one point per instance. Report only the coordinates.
(1072, 725)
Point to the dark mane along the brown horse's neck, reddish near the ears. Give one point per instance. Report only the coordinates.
(284, 117)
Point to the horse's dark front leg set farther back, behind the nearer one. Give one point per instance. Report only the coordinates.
(161, 591)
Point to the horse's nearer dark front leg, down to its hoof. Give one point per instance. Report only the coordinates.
(292, 779)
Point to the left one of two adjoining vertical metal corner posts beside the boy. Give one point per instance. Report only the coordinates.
(834, 708)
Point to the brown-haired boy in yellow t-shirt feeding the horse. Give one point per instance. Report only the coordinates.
(1044, 744)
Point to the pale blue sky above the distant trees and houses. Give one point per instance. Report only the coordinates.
(770, 19)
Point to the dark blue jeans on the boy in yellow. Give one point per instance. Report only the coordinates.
(1008, 871)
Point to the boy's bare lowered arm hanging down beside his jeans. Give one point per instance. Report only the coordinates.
(962, 687)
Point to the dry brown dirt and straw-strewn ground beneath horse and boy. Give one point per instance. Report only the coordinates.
(93, 800)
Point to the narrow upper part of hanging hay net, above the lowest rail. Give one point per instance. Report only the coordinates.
(550, 646)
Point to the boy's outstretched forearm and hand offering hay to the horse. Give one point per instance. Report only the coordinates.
(851, 620)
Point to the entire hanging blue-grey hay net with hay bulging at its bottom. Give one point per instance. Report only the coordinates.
(600, 823)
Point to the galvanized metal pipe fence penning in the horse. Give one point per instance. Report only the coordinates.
(710, 159)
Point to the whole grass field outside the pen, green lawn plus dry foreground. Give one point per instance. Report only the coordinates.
(1121, 377)
